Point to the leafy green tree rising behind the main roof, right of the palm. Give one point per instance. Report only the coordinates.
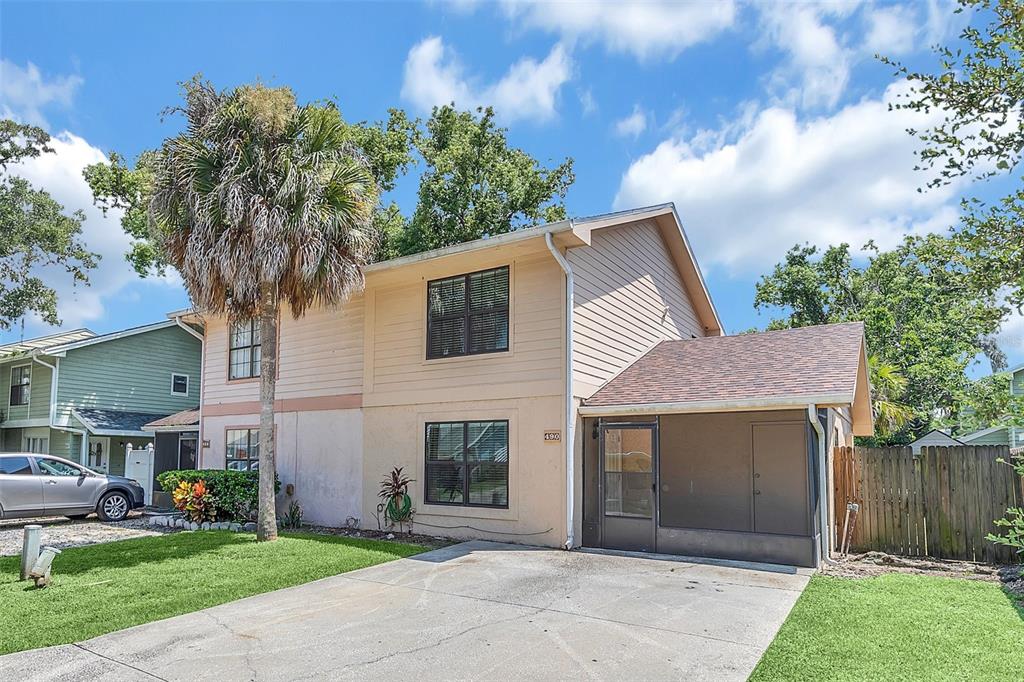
(475, 185)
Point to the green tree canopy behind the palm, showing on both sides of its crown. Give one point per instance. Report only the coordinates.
(472, 184)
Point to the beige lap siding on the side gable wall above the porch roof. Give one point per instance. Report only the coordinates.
(629, 296)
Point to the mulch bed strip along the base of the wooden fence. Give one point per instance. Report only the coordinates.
(871, 565)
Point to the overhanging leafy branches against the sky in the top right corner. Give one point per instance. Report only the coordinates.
(979, 86)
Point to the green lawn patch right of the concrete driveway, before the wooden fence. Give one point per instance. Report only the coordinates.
(899, 627)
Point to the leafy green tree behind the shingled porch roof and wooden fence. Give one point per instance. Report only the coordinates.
(923, 317)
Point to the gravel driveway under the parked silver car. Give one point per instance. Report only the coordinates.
(60, 532)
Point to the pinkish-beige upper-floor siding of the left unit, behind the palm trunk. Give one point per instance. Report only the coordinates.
(321, 355)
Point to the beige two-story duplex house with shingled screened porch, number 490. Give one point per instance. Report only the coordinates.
(560, 386)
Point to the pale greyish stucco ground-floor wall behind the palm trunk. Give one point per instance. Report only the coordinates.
(320, 452)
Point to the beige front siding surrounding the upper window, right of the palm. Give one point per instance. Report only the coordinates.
(400, 374)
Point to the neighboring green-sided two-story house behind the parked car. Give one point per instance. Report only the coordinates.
(86, 397)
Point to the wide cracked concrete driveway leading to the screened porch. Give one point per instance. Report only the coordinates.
(472, 612)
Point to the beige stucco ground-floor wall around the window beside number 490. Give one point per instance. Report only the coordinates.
(395, 437)
